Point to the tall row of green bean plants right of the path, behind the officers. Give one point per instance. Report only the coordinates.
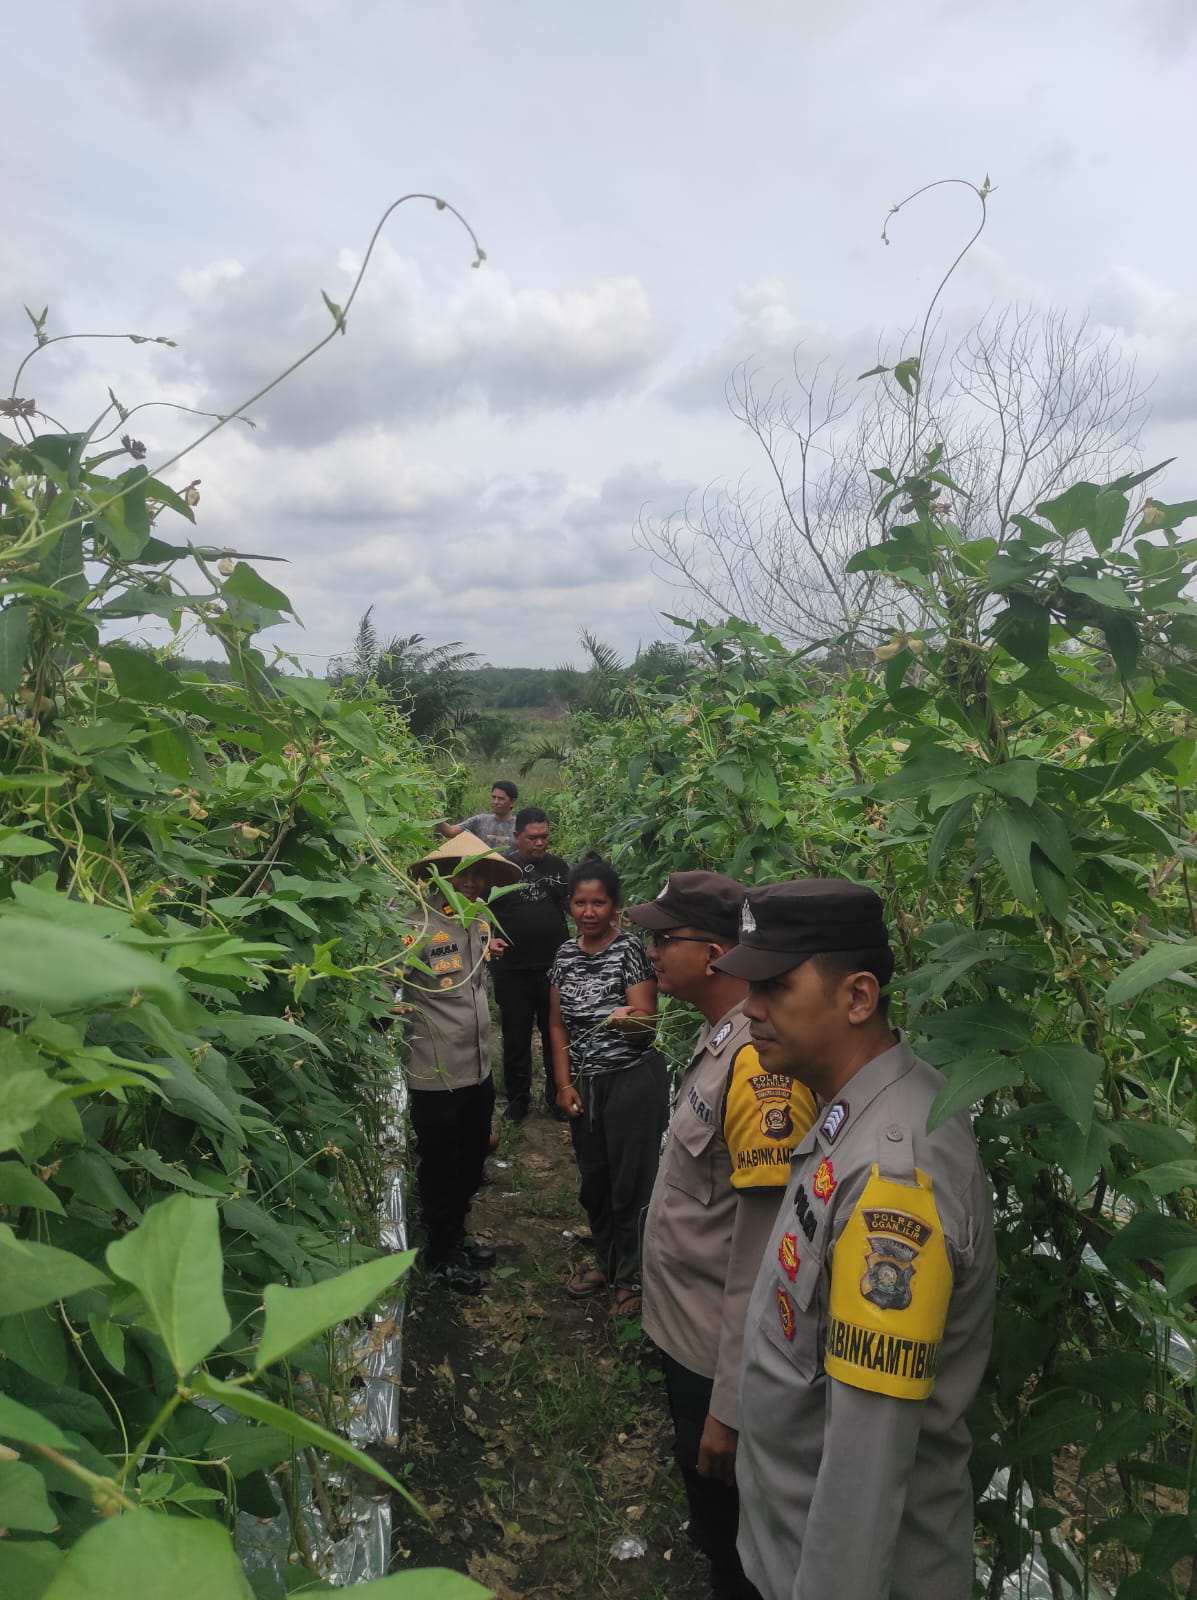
(1015, 777)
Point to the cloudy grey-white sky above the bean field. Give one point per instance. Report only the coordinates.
(662, 191)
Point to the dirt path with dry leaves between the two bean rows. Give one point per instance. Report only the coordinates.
(535, 1428)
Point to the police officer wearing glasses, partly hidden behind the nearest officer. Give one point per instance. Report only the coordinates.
(715, 1202)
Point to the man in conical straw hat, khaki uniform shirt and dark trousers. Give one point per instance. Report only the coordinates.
(449, 1054)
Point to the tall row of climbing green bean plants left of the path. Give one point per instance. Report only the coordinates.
(202, 921)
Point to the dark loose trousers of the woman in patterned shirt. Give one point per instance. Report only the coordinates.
(617, 1143)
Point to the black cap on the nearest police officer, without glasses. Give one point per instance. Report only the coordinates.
(785, 924)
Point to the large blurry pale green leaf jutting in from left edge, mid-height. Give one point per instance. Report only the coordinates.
(52, 967)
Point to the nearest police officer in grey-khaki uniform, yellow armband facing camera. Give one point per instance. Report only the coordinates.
(870, 1324)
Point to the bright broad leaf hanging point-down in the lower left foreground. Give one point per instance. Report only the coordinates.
(175, 1260)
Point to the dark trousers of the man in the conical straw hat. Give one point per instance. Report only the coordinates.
(452, 1137)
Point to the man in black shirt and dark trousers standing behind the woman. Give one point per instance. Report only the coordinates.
(534, 929)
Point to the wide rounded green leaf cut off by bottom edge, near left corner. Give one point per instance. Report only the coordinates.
(143, 1553)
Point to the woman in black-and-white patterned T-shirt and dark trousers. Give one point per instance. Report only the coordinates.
(614, 1087)
